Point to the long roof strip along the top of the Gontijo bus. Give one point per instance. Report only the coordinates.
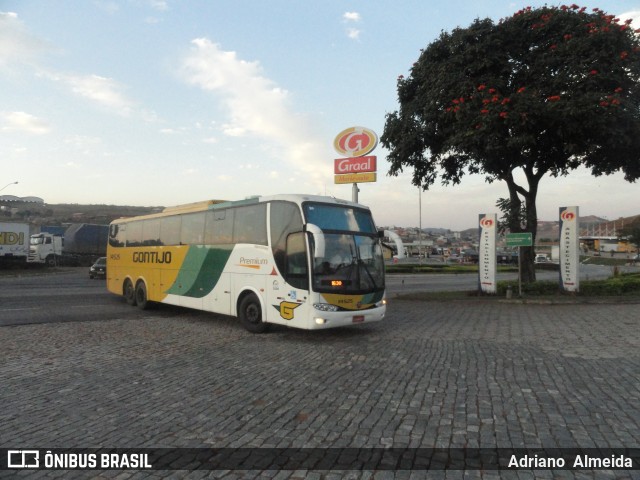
(215, 204)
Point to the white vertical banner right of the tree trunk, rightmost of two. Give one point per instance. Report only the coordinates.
(569, 249)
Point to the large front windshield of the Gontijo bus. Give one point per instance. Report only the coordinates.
(352, 261)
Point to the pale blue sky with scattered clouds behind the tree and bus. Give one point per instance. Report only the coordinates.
(165, 102)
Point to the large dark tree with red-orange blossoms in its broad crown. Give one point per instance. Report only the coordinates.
(542, 92)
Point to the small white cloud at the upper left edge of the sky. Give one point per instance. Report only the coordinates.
(17, 45)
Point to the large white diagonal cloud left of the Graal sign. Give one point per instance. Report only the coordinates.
(256, 106)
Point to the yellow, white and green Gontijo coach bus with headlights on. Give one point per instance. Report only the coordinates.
(304, 261)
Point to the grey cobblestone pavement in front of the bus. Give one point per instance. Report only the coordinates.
(470, 373)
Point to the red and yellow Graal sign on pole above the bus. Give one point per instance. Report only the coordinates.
(357, 167)
